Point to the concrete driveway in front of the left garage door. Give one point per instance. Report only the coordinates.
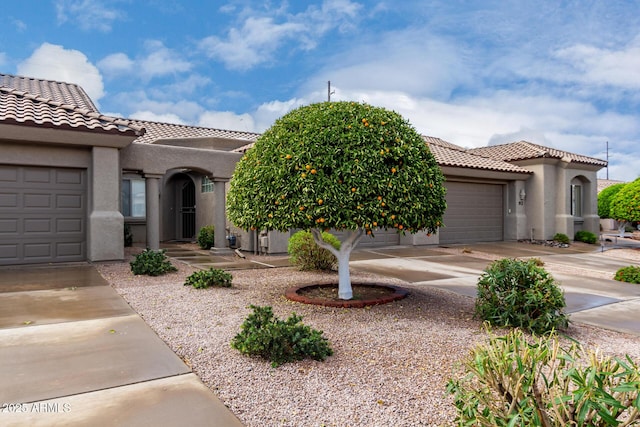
(73, 353)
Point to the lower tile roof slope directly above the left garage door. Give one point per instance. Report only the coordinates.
(19, 107)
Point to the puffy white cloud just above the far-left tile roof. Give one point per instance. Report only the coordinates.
(54, 62)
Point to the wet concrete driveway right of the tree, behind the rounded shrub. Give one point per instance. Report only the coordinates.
(600, 302)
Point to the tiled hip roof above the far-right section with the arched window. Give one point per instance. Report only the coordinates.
(524, 150)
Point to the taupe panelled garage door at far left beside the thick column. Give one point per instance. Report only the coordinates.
(42, 215)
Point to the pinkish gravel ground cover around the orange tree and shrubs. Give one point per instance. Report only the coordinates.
(390, 364)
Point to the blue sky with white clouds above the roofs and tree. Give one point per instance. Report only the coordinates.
(565, 74)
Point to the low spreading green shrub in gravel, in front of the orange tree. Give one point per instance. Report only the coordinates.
(279, 341)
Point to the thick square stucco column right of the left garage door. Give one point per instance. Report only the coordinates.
(105, 239)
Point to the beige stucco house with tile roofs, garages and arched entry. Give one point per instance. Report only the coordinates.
(71, 178)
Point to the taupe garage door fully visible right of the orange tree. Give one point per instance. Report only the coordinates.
(474, 213)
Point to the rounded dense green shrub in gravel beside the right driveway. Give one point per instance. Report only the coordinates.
(521, 294)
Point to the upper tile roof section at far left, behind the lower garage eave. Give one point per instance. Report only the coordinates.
(64, 93)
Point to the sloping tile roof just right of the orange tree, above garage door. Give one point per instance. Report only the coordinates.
(448, 154)
